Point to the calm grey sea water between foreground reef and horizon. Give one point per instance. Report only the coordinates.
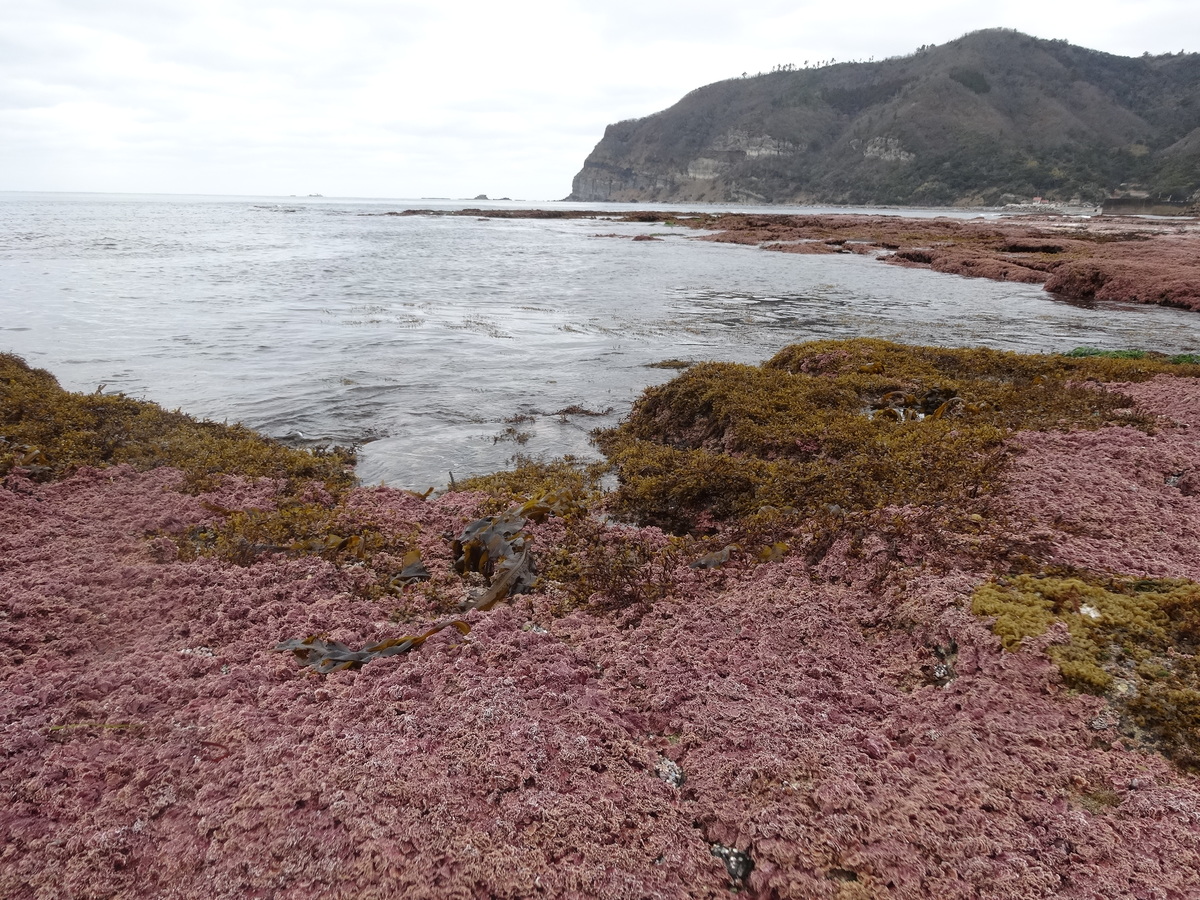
(443, 345)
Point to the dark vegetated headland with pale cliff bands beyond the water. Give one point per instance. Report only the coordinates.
(995, 117)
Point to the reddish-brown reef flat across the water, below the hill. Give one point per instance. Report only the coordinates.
(1083, 260)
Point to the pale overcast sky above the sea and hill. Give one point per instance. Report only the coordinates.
(416, 99)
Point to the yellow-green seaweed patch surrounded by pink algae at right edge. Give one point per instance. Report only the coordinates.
(1135, 641)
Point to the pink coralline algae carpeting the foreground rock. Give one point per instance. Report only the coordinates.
(841, 730)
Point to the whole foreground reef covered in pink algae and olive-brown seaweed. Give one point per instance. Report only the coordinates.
(867, 621)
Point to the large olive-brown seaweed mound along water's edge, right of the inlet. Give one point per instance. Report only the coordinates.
(854, 425)
